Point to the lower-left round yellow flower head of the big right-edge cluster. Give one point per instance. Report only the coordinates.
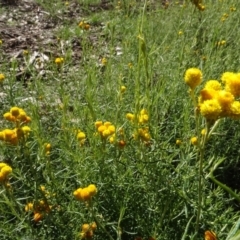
(210, 109)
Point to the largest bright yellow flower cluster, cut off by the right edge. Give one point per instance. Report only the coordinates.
(218, 100)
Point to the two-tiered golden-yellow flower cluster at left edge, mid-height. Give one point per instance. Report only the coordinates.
(19, 117)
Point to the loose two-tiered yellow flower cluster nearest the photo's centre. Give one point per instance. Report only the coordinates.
(142, 133)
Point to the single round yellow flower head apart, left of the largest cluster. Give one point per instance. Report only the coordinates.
(193, 77)
